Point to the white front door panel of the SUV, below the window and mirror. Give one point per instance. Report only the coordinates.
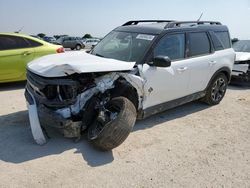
(165, 84)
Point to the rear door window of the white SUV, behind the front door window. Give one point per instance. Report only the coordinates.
(199, 44)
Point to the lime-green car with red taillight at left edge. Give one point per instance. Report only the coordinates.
(16, 50)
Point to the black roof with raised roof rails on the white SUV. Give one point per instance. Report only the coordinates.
(159, 26)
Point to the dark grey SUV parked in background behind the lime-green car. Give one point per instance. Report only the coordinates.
(71, 42)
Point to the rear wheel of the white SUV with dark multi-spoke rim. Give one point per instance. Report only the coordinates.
(216, 90)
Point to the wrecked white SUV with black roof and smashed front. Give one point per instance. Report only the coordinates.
(139, 69)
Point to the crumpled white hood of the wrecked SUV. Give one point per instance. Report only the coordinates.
(68, 63)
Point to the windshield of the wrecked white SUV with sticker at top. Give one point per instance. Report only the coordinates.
(123, 46)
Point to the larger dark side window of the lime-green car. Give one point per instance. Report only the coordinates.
(12, 42)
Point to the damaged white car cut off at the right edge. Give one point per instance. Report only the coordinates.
(241, 69)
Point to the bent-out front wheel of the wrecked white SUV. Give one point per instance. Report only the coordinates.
(113, 124)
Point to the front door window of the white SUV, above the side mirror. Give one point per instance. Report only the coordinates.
(172, 46)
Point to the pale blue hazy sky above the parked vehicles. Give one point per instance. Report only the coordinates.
(98, 17)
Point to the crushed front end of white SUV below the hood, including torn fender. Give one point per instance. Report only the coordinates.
(73, 102)
